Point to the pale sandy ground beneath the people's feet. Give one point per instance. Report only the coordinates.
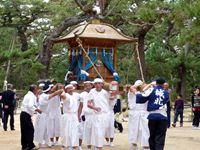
(184, 138)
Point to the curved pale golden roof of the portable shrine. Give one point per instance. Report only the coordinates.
(96, 31)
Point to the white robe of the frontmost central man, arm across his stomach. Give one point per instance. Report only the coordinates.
(100, 119)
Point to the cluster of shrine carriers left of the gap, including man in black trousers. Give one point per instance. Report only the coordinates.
(87, 116)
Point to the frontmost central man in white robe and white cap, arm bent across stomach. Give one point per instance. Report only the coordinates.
(99, 102)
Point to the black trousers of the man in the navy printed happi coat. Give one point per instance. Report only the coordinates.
(157, 130)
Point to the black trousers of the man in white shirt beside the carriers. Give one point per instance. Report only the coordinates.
(27, 131)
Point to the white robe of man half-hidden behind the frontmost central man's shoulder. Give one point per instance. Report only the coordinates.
(88, 113)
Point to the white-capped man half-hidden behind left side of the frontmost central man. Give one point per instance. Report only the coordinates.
(85, 127)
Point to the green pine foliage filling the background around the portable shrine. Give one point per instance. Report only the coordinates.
(41, 19)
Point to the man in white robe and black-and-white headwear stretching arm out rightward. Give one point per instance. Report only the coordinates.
(40, 133)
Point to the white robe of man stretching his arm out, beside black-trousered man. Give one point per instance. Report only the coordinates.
(40, 132)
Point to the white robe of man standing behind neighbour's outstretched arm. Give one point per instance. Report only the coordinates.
(54, 119)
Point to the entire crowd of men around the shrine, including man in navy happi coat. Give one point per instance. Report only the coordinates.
(69, 118)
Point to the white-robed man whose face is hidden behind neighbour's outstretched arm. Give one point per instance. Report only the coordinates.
(54, 116)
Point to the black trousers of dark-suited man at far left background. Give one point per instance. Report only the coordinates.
(7, 113)
